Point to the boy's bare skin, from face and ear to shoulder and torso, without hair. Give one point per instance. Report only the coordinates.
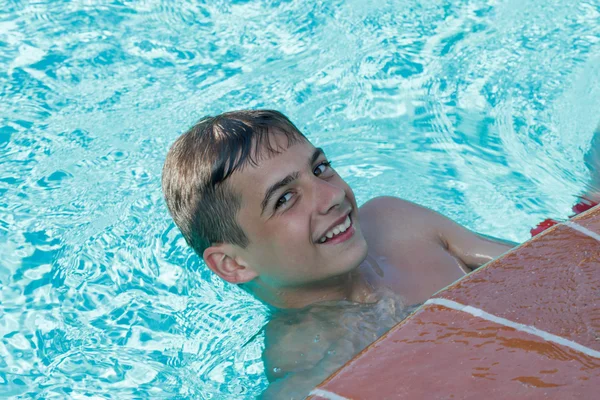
(399, 255)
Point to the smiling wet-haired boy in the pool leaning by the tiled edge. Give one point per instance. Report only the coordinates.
(265, 210)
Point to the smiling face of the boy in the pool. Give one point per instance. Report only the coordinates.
(290, 202)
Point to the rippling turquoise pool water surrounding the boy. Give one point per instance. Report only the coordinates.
(481, 110)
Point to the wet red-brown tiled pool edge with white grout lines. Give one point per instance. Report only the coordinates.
(526, 325)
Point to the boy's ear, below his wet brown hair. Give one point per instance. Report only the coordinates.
(222, 260)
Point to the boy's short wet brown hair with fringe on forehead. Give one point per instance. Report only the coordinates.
(194, 178)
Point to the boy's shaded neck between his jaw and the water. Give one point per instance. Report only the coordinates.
(351, 286)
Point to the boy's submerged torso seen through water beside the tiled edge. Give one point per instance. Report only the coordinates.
(303, 347)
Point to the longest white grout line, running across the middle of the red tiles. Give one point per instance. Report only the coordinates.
(520, 327)
